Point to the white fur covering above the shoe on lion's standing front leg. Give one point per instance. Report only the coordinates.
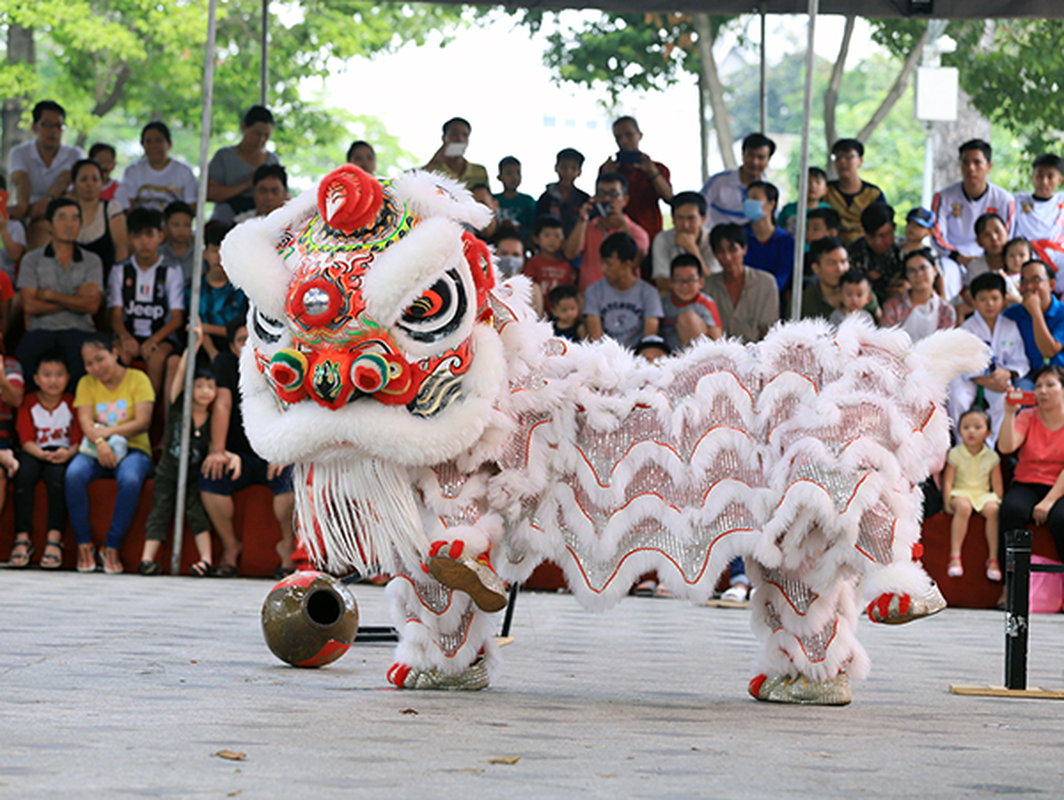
(441, 629)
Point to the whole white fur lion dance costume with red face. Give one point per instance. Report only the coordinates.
(440, 434)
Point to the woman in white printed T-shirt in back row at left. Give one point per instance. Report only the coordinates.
(157, 180)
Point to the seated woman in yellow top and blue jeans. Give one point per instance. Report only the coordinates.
(114, 406)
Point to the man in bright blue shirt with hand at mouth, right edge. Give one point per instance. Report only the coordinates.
(1040, 319)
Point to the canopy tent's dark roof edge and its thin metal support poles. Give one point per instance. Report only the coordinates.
(869, 9)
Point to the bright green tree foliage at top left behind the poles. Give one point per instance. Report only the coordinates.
(143, 60)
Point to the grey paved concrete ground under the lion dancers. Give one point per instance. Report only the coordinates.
(129, 687)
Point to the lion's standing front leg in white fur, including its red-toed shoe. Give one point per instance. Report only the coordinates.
(445, 641)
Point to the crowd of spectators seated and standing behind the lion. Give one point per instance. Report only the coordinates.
(605, 264)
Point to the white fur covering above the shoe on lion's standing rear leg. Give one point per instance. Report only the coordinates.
(804, 632)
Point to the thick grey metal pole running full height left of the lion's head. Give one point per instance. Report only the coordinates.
(187, 410)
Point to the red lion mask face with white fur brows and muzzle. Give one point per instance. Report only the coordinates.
(369, 301)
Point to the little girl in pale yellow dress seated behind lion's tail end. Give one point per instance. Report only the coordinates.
(973, 484)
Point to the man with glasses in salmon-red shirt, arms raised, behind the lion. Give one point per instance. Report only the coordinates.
(603, 215)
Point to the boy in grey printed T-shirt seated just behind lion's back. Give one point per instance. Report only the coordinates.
(622, 306)
